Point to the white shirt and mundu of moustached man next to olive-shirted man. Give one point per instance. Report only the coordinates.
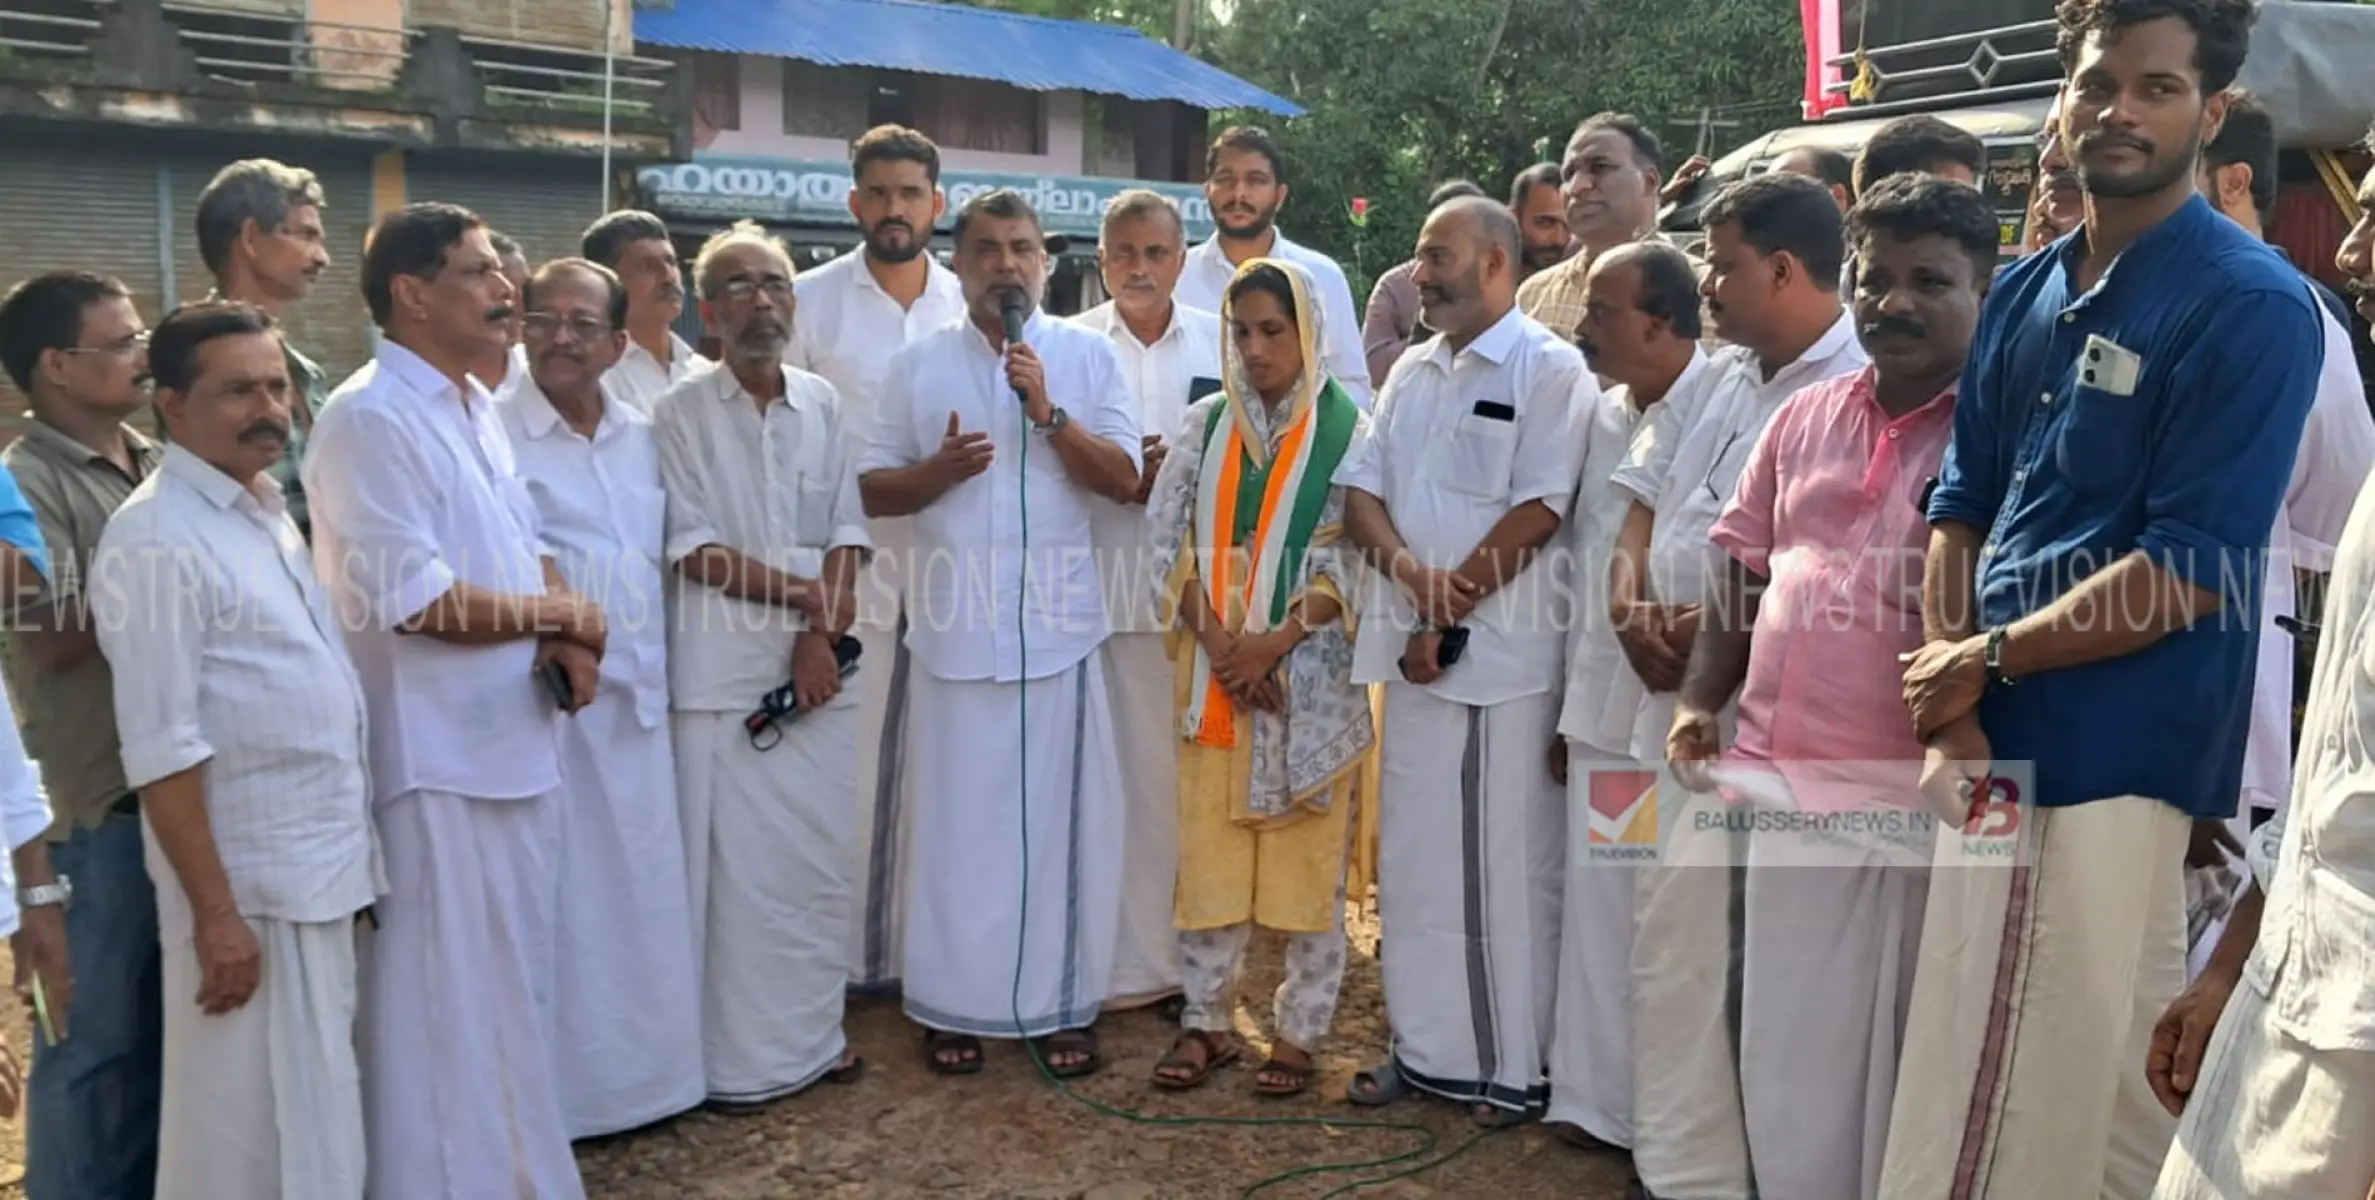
(229, 659)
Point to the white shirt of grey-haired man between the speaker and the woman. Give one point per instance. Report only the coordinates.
(1165, 379)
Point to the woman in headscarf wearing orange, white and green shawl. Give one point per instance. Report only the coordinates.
(1274, 733)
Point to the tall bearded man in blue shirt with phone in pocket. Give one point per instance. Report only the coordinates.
(2127, 431)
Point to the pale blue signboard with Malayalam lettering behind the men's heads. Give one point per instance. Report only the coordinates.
(818, 194)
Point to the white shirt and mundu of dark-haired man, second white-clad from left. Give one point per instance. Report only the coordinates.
(414, 488)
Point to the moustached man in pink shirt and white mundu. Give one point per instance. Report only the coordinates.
(1823, 595)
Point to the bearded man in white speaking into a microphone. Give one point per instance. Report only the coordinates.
(996, 434)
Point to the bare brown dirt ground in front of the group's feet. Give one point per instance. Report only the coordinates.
(1006, 1135)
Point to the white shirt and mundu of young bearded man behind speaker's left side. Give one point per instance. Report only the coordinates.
(847, 329)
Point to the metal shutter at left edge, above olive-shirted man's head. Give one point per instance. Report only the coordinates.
(75, 198)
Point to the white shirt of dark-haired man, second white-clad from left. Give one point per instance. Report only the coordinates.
(414, 491)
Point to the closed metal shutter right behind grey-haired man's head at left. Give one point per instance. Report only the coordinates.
(331, 327)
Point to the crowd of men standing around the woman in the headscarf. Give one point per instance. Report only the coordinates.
(543, 731)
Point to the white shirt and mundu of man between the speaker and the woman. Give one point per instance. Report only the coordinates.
(1165, 379)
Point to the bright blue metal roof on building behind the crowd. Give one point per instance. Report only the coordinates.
(1032, 53)
